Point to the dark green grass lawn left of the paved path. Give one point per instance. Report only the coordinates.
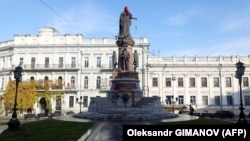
(47, 130)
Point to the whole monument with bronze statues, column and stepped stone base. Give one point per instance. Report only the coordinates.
(125, 98)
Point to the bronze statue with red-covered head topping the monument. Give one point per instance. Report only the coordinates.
(125, 22)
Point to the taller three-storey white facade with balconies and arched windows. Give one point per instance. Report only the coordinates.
(83, 64)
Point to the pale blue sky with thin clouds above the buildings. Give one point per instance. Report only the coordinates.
(173, 27)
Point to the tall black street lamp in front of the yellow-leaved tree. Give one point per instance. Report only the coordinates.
(14, 123)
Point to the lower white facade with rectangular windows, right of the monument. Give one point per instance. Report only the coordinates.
(196, 80)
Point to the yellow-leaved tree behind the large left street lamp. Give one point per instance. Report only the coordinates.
(26, 95)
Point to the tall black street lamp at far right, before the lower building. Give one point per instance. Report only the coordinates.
(240, 71)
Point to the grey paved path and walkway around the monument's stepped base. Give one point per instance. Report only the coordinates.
(109, 130)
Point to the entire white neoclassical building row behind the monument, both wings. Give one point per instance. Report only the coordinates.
(83, 67)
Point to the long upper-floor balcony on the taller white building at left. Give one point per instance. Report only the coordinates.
(51, 67)
